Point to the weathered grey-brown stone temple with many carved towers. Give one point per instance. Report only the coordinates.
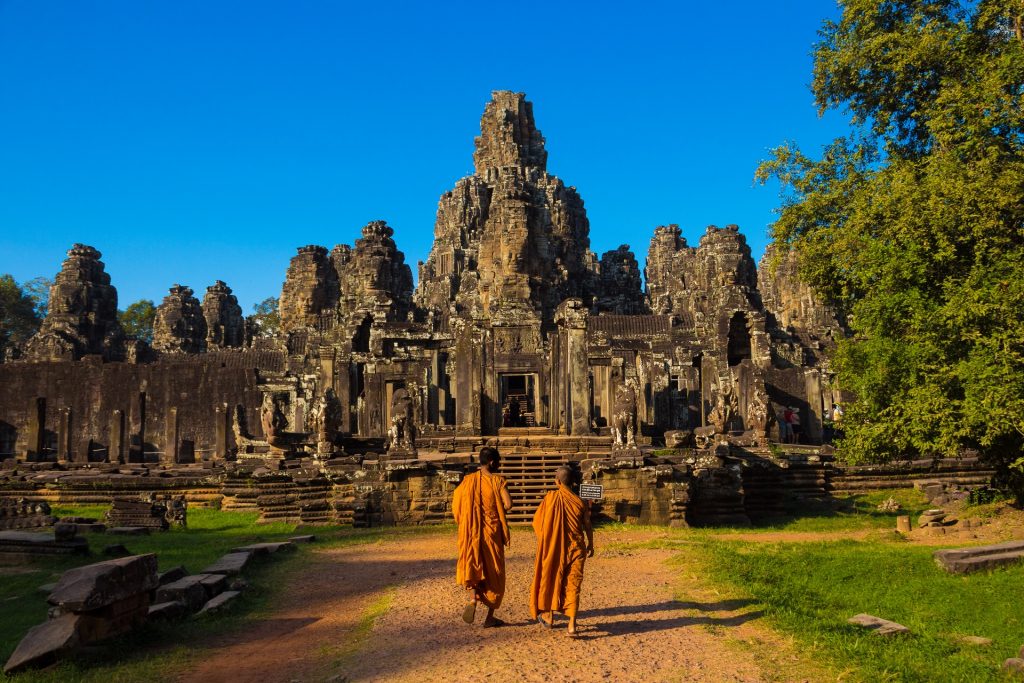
(369, 404)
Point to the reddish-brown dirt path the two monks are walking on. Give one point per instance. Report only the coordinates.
(638, 622)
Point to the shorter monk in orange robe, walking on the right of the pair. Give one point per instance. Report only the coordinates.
(565, 541)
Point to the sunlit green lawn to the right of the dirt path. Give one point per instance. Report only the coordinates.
(808, 590)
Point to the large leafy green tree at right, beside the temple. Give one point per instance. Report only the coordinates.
(914, 225)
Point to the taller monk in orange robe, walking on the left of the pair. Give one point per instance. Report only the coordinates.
(481, 504)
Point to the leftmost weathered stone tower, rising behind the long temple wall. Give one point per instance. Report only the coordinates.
(82, 318)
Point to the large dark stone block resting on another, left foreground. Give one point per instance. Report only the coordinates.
(95, 586)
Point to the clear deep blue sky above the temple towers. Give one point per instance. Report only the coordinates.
(195, 141)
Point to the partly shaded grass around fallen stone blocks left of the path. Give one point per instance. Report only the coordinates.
(163, 651)
